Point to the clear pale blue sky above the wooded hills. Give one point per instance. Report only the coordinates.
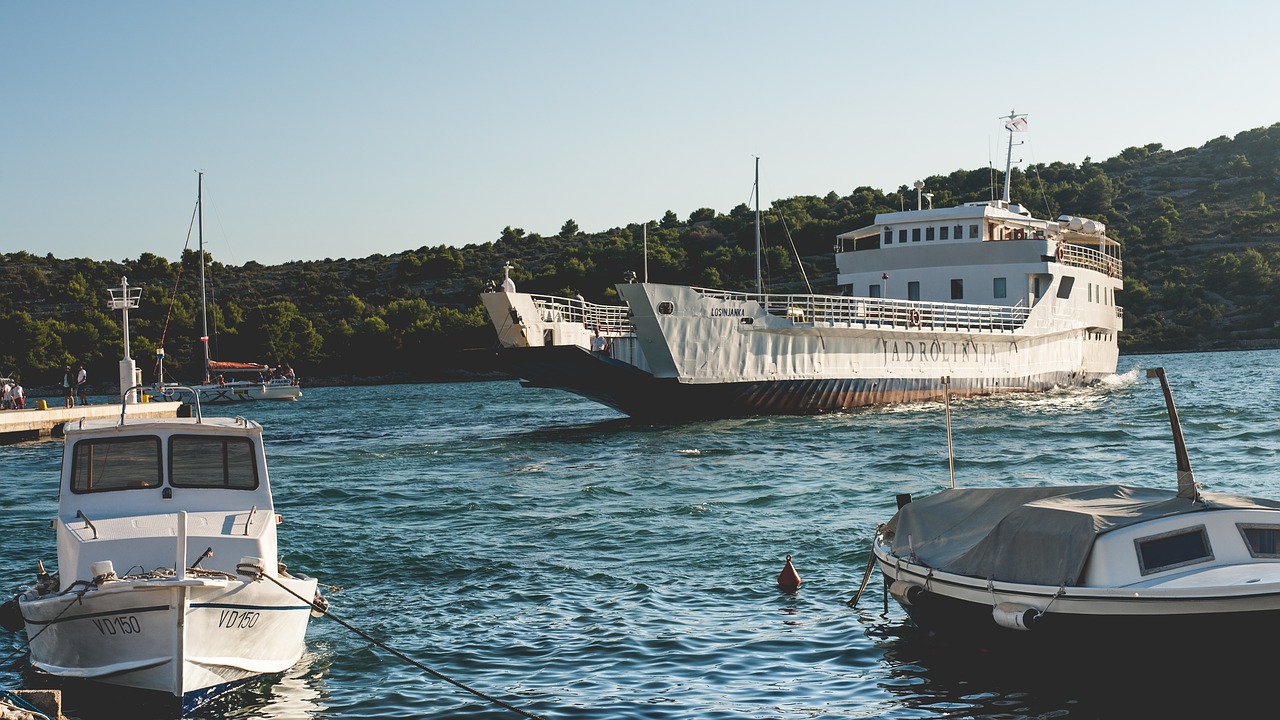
(349, 129)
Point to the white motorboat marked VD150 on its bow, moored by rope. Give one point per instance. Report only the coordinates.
(168, 577)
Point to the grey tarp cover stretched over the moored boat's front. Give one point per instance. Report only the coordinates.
(1037, 535)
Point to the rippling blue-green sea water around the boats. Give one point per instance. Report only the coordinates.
(552, 554)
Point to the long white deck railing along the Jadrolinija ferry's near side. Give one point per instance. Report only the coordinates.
(834, 311)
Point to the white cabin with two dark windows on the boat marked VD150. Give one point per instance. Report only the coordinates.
(173, 494)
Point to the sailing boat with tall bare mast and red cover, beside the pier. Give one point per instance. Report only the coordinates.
(226, 382)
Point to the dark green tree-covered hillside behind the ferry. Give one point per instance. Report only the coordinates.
(1200, 229)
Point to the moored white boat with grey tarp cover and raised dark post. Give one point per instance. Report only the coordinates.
(1099, 568)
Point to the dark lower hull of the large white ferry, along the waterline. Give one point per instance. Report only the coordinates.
(641, 395)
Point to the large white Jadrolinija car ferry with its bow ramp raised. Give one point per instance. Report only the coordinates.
(985, 294)
